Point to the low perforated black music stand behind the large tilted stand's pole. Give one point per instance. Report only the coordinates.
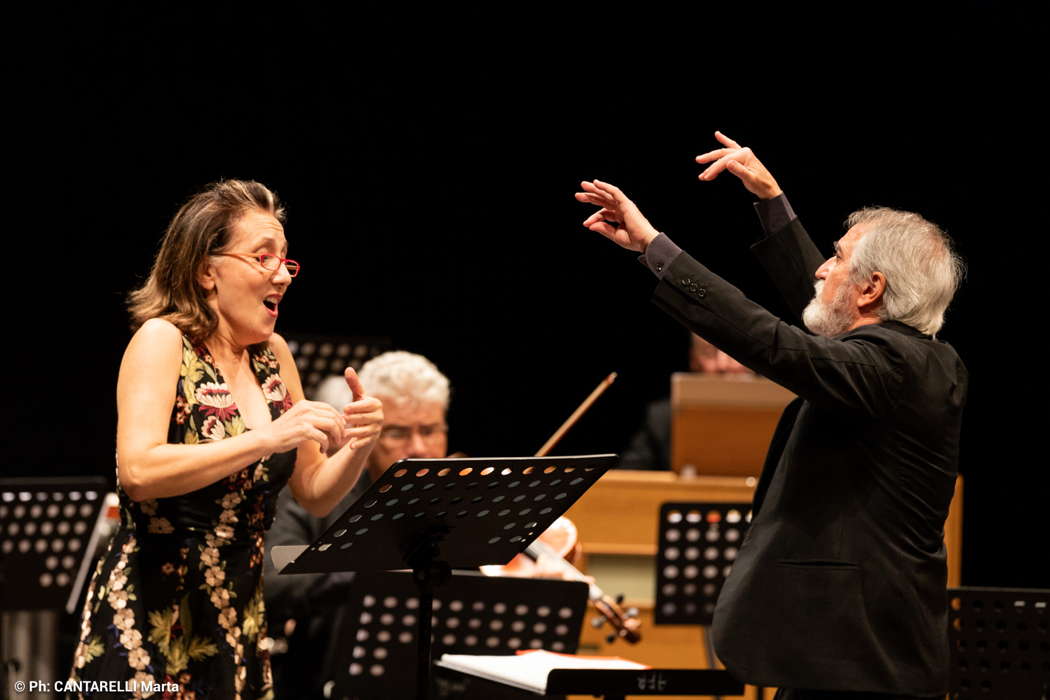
(473, 614)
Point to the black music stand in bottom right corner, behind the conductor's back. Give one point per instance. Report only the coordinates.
(1000, 643)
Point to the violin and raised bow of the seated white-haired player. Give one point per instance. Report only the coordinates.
(559, 546)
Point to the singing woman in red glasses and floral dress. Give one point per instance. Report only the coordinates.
(212, 426)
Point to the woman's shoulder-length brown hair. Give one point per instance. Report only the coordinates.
(201, 228)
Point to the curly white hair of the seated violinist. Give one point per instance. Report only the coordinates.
(405, 379)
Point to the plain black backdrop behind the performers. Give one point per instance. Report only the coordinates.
(429, 156)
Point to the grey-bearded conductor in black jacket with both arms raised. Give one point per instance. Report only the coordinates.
(839, 590)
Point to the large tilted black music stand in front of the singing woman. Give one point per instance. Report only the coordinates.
(434, 516)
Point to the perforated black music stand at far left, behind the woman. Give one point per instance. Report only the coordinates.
(49, 529)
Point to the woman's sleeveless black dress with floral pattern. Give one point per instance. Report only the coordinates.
(177, 601)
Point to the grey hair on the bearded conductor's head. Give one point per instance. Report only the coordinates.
(917, 259)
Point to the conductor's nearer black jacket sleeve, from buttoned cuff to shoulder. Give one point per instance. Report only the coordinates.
(859, 371)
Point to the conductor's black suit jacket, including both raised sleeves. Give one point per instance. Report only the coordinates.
(841, 584)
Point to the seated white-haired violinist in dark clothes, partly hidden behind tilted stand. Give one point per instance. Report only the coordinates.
(415, 397)
